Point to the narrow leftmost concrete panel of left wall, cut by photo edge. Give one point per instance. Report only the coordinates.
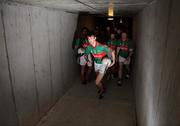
(7, 106)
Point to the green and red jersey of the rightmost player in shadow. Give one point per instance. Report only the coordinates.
(124, 48)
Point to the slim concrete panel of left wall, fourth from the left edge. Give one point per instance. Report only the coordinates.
(55, 54)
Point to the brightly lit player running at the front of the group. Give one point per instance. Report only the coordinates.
(99, 52)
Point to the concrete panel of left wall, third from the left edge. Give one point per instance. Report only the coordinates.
(41, 55)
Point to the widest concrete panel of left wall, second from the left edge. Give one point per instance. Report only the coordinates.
(19, 46)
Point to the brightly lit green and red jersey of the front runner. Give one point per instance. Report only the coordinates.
(98, 52)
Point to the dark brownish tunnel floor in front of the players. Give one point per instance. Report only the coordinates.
(80, 106)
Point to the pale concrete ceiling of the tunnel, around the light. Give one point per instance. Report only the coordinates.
(90, 6)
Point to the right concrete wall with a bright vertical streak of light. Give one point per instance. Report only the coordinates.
(157, 67)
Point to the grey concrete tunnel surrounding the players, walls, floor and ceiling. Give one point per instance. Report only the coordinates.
(39, 77)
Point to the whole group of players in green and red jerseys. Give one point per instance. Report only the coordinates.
(107, 53)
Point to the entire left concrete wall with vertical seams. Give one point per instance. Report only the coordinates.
(36, 61)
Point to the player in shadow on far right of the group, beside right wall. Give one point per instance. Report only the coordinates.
(124, 53)
